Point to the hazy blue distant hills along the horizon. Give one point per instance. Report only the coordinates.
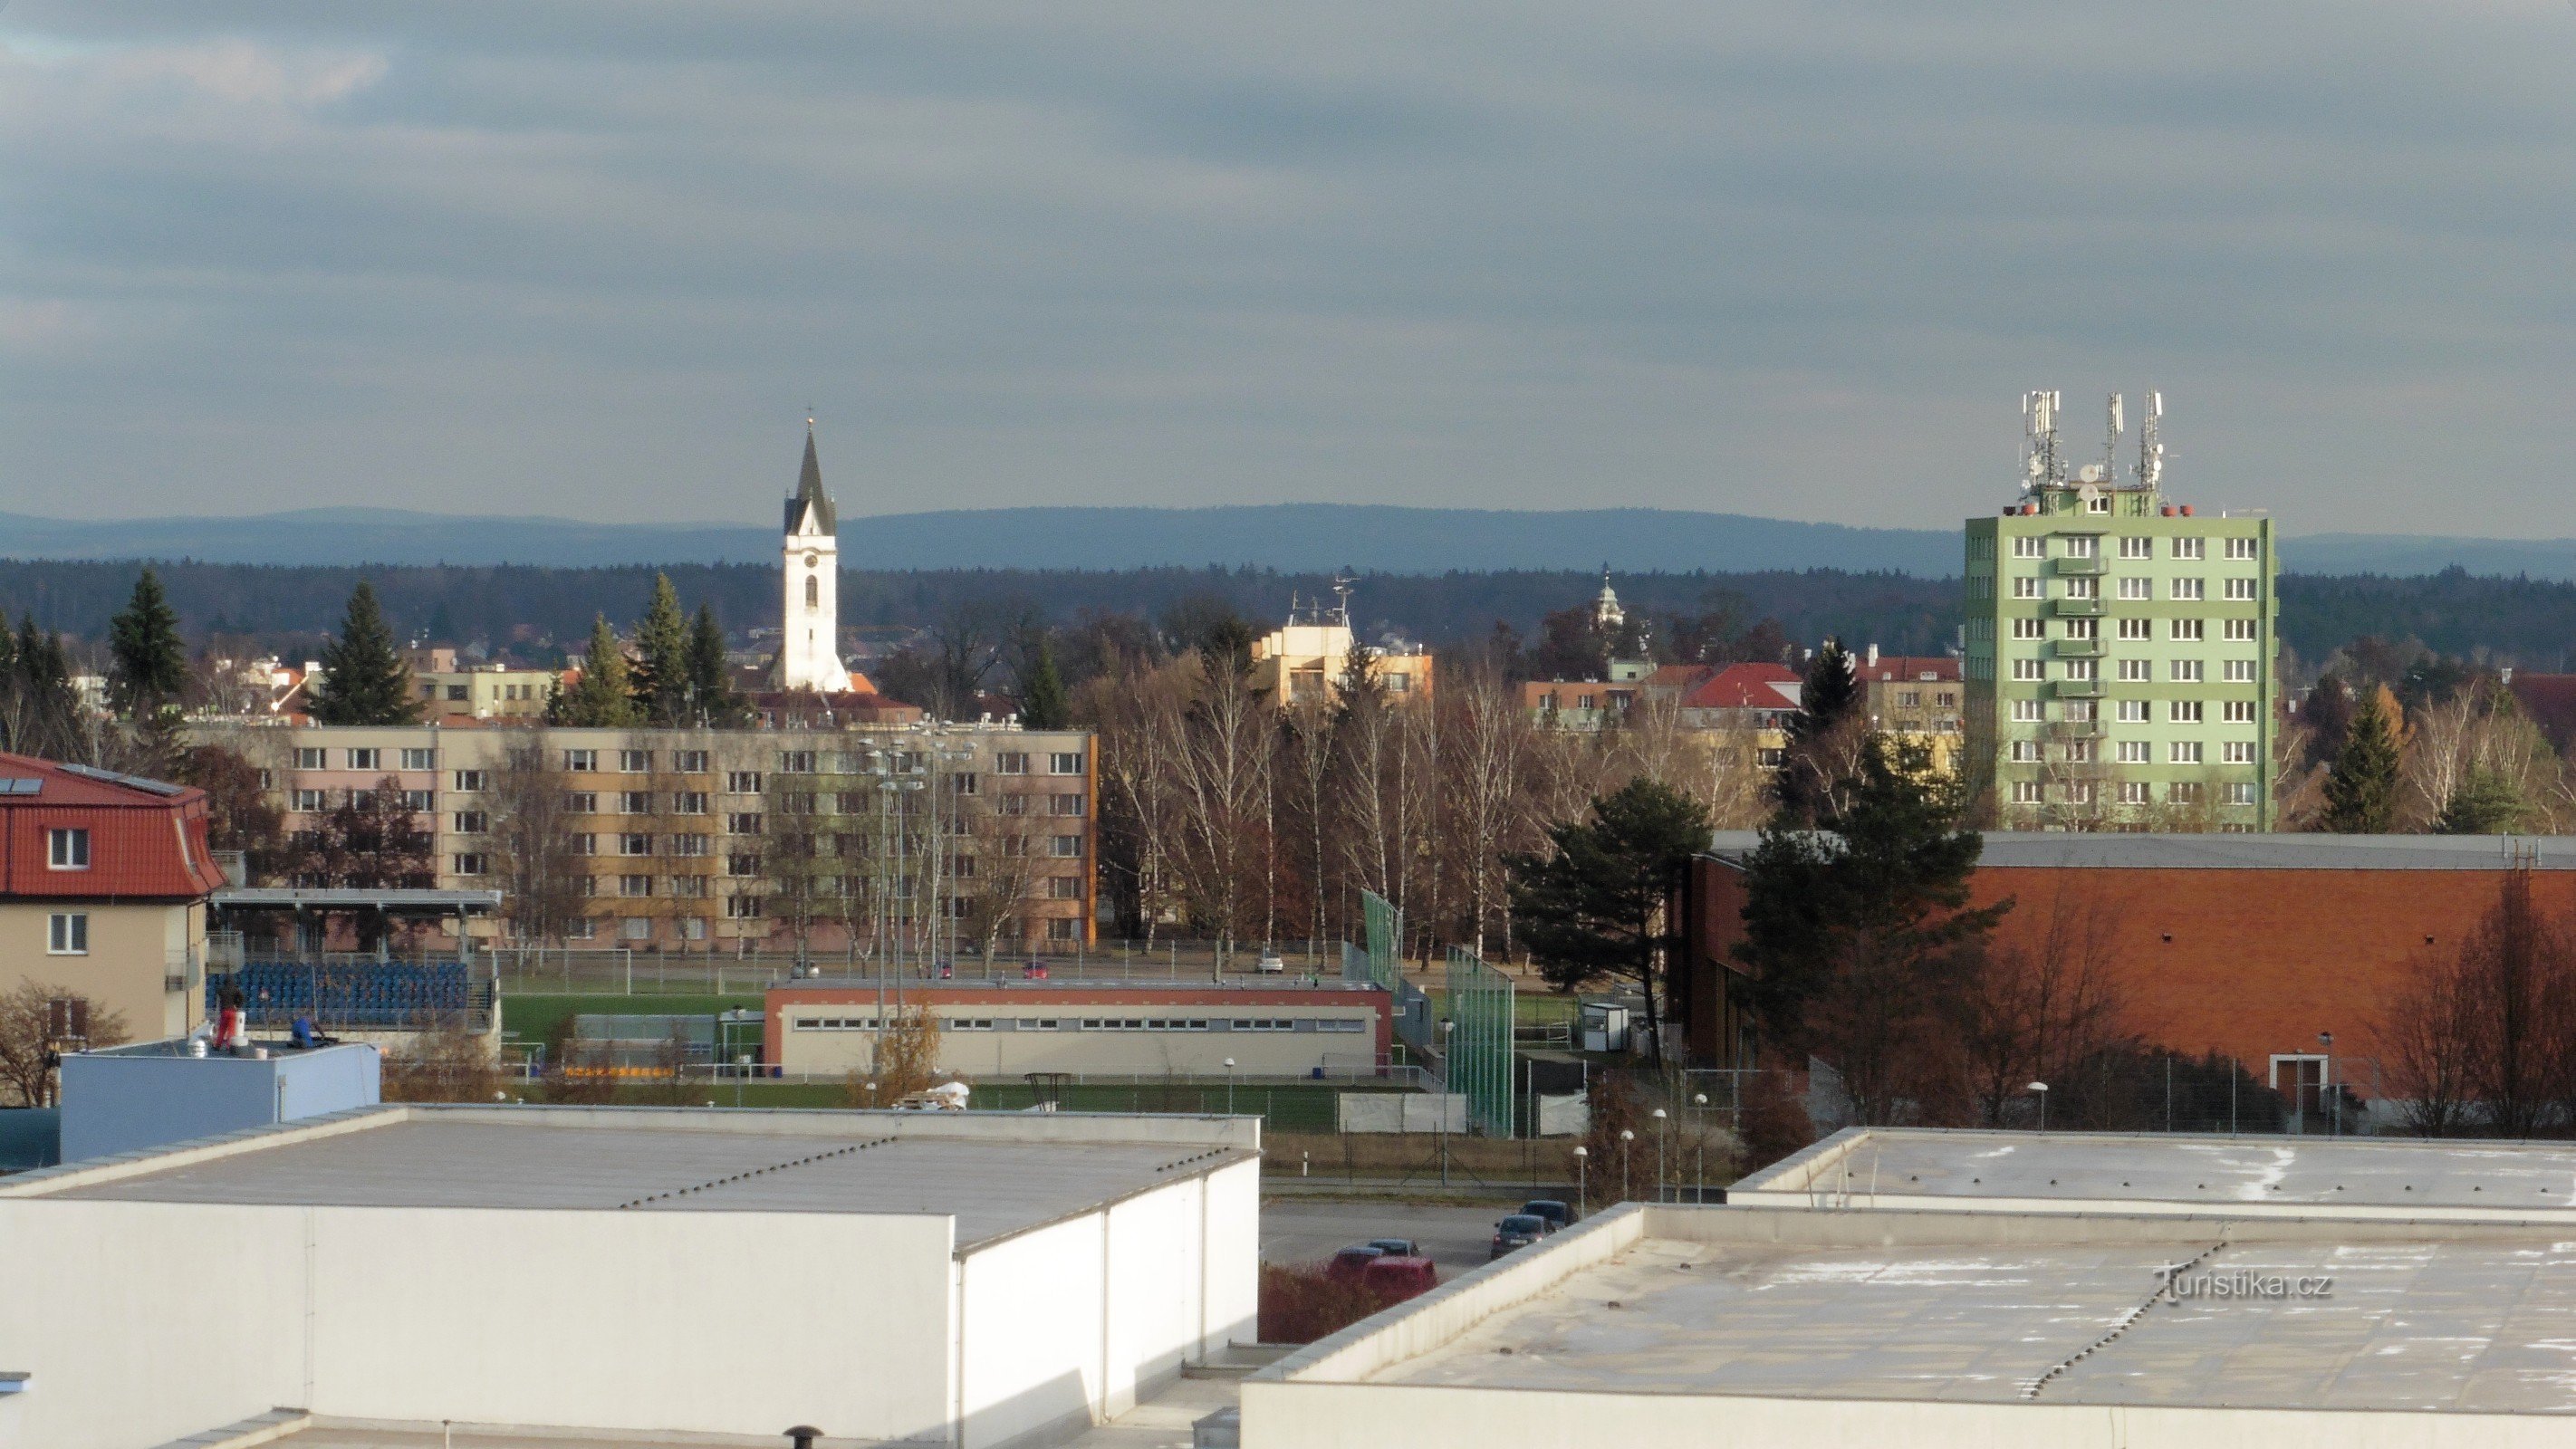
(1294, 539)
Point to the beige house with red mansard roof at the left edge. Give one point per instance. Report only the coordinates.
(104, 889)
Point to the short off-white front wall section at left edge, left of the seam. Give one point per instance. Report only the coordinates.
(146, 1322)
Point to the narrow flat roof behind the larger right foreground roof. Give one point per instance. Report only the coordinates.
(2116, 1170)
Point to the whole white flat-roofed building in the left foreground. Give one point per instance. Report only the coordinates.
(890, 1278)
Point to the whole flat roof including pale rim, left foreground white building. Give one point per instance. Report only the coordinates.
(993, 1172)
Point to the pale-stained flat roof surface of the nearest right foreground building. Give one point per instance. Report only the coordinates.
(2479, 1327)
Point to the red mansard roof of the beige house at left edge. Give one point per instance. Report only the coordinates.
(148, 840)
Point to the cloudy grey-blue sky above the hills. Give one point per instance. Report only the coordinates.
(596, 259)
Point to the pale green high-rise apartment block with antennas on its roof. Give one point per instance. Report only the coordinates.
(2119, 650)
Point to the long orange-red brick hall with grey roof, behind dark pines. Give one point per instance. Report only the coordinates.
(2222, 943)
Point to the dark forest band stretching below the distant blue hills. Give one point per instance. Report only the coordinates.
(537, 611)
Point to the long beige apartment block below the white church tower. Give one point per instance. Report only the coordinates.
(743, 840)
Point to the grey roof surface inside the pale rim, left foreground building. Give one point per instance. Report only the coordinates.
(993, 1188)
